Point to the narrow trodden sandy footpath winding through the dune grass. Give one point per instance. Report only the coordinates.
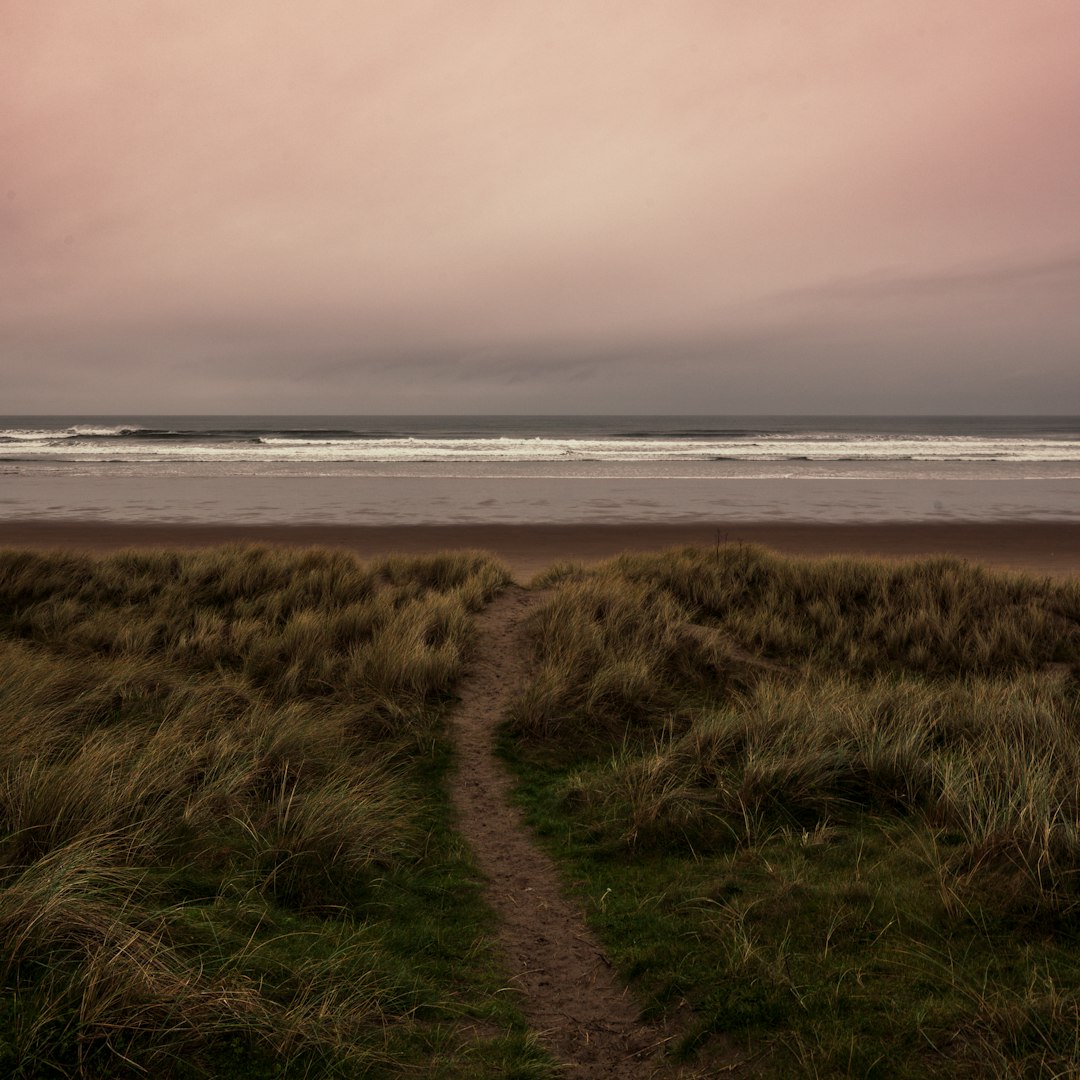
(571, 995)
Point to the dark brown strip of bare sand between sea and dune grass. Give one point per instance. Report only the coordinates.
(1041, 548)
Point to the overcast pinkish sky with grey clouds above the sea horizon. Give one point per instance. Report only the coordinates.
(697, 207)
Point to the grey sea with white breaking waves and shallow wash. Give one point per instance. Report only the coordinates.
(555, 469)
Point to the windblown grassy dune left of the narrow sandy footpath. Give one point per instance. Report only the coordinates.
(224, 840)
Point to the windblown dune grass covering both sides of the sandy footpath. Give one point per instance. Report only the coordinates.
(830, 808)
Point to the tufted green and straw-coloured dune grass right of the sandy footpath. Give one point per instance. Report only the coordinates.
(830, 807)
